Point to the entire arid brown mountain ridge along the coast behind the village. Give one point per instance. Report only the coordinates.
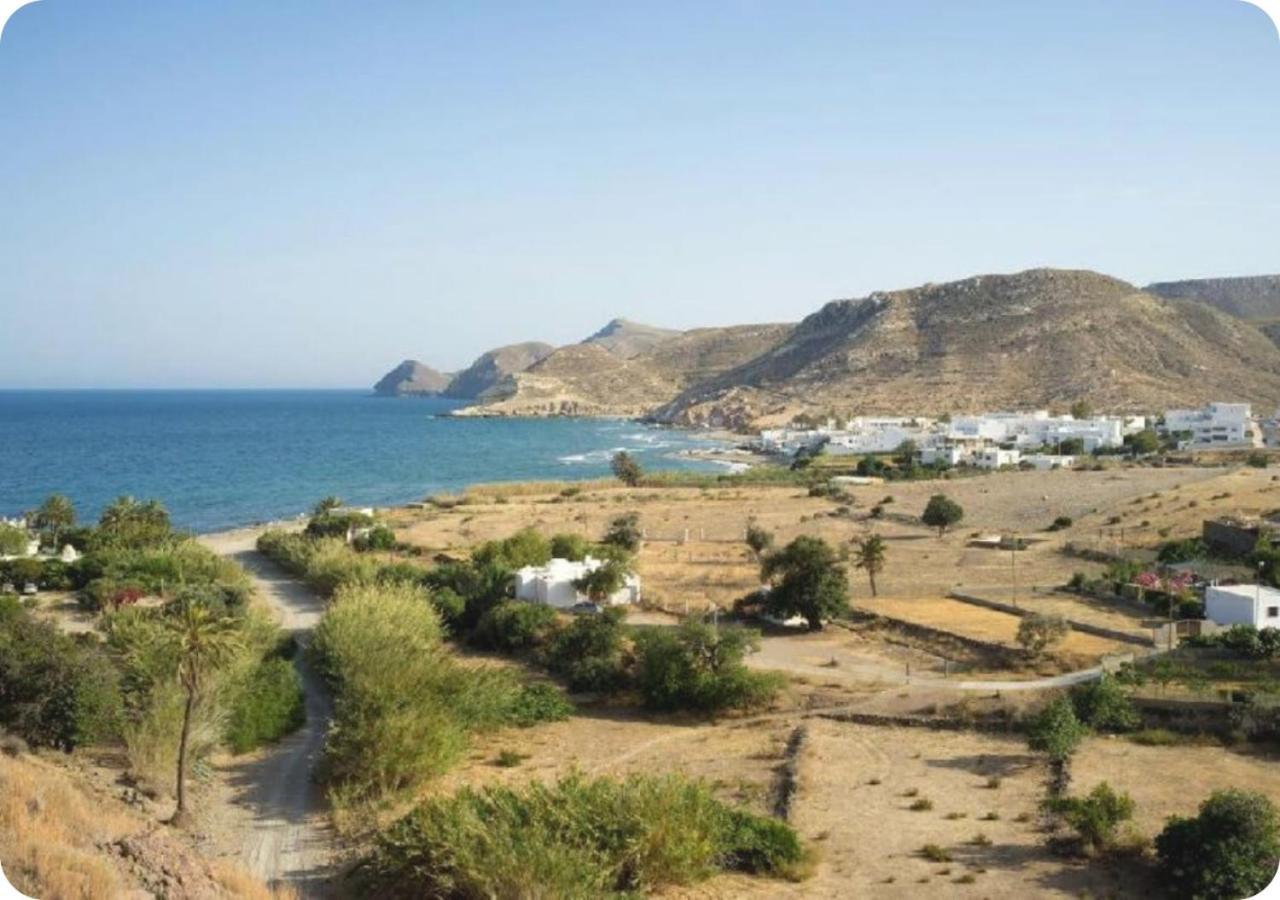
(1044, 337)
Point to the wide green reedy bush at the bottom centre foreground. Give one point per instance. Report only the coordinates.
(575, 839)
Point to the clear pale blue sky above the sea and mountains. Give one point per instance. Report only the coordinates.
(305, 193)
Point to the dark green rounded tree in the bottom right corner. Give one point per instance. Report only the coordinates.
(1229, 851)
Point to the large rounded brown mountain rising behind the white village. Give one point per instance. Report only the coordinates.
(1036, 339)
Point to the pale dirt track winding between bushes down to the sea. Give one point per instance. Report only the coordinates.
(282, 815)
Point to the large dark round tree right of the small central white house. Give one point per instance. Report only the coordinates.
(807, 581)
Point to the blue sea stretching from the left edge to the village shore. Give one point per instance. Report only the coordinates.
(223, 459)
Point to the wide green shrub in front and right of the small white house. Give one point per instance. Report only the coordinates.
(701, 668)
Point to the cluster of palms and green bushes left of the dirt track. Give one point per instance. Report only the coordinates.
(171, 682)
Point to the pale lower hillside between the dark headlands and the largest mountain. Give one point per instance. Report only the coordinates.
(591, 380)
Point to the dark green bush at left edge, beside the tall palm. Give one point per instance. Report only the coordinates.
(54, 691)
